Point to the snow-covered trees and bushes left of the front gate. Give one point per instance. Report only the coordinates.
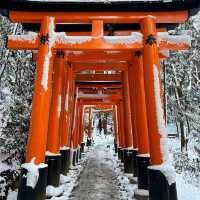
(16, 87)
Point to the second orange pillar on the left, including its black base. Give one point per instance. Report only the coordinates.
(53, 157)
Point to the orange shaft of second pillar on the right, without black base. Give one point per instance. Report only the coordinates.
(140, 109)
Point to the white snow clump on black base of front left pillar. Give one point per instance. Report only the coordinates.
(32, 172)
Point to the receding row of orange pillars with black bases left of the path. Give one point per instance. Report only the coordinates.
(58, 138)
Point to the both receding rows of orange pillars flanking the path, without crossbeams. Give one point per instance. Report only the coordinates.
(57, 119)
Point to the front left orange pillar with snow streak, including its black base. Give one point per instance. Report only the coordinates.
(37, 138)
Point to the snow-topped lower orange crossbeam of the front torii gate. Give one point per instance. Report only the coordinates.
(78, 43)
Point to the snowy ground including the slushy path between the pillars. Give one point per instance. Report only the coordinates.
(100, 176)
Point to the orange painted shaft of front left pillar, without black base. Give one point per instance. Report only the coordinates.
(37, 137)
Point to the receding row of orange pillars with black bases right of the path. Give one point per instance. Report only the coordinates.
(138, 119)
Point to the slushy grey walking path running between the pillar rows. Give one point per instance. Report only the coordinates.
(98, 180)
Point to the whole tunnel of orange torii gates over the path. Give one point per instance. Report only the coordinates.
(64, 91)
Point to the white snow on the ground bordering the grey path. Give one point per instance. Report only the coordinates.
(104, 144)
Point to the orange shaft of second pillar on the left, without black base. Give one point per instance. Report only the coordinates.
(53, 137)
